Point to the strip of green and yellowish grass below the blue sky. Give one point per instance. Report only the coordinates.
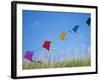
(65, 63)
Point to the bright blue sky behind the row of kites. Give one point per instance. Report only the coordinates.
(39, 26)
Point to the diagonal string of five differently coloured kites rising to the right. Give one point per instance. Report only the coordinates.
(29, 54)
